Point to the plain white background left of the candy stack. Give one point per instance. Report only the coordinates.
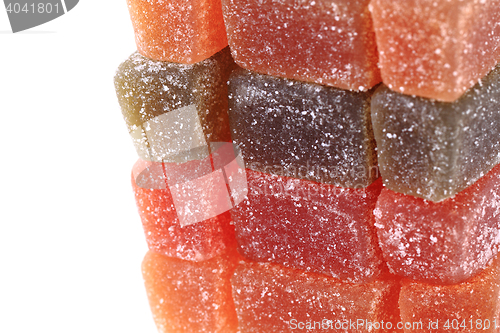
(71, 242)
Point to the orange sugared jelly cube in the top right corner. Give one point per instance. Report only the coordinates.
(436, 49)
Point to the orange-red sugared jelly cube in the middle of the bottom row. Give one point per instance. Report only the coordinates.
(271, 298)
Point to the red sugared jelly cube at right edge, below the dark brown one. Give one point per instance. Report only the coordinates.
(445, 242)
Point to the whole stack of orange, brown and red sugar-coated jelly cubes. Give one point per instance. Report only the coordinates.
(317, 165)
